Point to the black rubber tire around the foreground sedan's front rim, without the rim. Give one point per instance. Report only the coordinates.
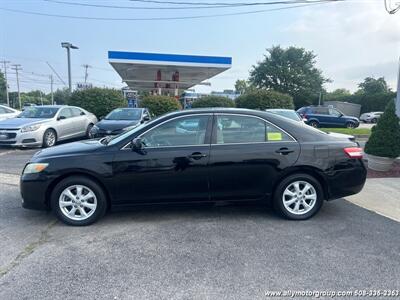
(69, 182)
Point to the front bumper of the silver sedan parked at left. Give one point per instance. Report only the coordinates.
(26, 139)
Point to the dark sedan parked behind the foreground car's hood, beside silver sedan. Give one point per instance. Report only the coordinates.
(119, 120)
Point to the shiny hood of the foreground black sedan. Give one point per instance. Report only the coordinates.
(80, 147)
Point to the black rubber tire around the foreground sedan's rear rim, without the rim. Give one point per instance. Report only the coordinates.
(278, 197)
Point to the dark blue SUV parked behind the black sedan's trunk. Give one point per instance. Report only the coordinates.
(322, 116)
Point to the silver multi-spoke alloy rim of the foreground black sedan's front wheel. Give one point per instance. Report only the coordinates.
(77, 202)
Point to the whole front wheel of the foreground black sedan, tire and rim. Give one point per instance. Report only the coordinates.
(94, 205)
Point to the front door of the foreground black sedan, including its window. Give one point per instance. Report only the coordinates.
(172, 166)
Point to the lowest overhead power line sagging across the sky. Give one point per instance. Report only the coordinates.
(168, 18)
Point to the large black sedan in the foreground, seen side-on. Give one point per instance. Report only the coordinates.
(205, 155)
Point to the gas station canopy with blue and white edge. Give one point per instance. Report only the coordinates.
(166, 73)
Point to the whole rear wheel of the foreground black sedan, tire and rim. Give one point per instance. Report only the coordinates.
(285, 203)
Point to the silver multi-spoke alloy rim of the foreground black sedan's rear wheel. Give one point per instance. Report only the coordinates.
(299, 197)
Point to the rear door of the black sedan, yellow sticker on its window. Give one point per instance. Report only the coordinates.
(247, 154)
